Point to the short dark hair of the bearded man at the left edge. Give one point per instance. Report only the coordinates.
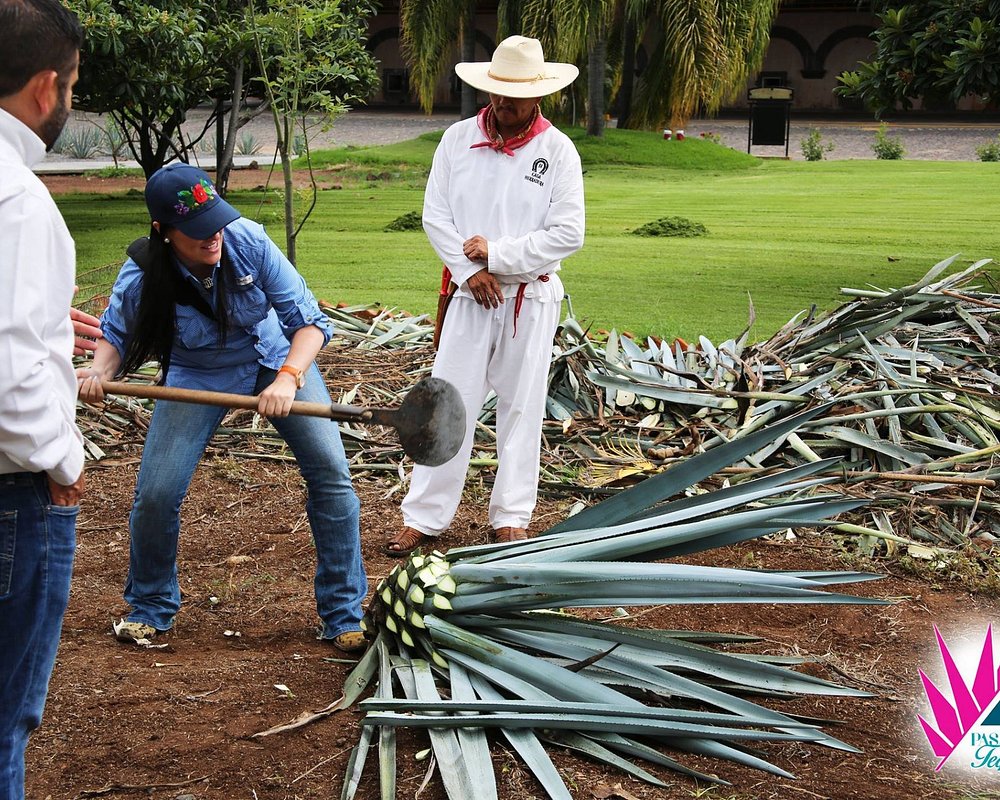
(35, 36)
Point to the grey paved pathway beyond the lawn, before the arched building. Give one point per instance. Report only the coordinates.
(937, 141)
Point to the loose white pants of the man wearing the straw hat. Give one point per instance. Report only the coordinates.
(478, 352)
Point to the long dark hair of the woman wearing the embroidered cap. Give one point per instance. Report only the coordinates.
(163, 288)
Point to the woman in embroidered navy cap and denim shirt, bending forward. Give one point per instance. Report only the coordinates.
(212, 298)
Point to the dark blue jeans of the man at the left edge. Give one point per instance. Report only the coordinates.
(36, 560)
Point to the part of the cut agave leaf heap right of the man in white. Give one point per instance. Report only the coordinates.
(914, 376)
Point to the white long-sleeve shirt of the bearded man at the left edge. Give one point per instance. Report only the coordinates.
(38, 389)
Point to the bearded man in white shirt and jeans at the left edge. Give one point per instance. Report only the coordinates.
(41, 450)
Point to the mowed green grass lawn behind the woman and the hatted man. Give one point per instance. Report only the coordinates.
(786, 234)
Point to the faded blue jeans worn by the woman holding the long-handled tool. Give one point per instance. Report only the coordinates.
(178, 435)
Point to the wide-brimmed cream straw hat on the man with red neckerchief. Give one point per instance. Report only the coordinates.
(518, 69)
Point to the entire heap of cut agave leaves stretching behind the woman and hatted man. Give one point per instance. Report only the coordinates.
(913, 375)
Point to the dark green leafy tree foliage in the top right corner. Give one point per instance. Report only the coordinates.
(933, 50)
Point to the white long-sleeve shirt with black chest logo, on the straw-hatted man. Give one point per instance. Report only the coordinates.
(529, 207)
